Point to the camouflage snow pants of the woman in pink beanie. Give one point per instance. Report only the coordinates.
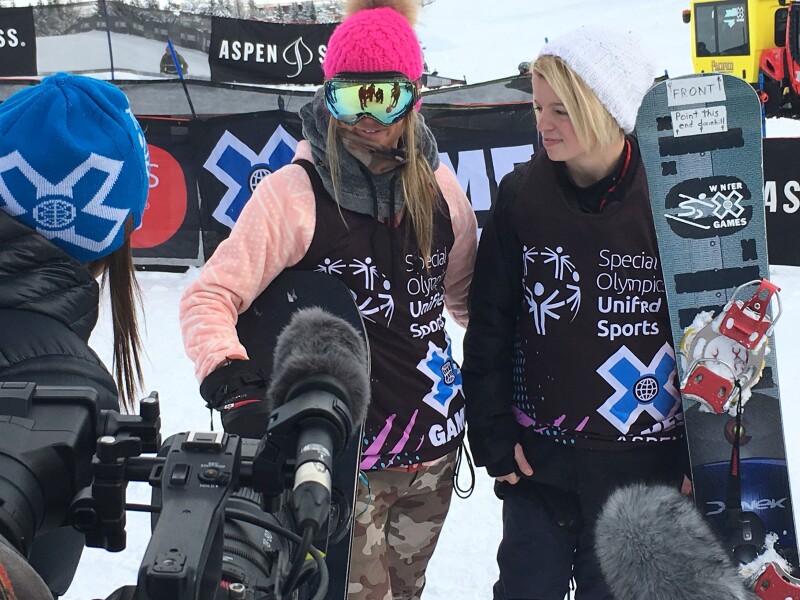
(396, 530)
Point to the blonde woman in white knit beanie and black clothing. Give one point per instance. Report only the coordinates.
(569, 371)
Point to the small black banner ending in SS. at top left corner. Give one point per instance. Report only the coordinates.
(17, 42)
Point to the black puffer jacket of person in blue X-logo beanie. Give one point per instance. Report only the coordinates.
(48, 308)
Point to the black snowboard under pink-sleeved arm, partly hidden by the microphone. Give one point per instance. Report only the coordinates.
(258, 328)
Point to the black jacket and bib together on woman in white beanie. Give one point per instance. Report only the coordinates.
(569, 331)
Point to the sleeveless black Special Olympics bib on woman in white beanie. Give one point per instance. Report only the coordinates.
(594, 336)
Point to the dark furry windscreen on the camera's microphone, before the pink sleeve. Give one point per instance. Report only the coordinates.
(316, 342)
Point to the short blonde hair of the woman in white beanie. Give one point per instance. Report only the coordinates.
(593, 124)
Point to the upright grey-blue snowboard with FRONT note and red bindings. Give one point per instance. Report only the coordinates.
(701, 146)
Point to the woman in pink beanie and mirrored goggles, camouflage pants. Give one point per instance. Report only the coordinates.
(367, 201)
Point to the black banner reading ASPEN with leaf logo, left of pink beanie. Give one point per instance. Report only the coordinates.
(256, 52)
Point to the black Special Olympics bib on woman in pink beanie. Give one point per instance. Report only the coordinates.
(417, 409)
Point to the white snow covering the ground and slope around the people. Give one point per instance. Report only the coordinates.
(482, 41)
